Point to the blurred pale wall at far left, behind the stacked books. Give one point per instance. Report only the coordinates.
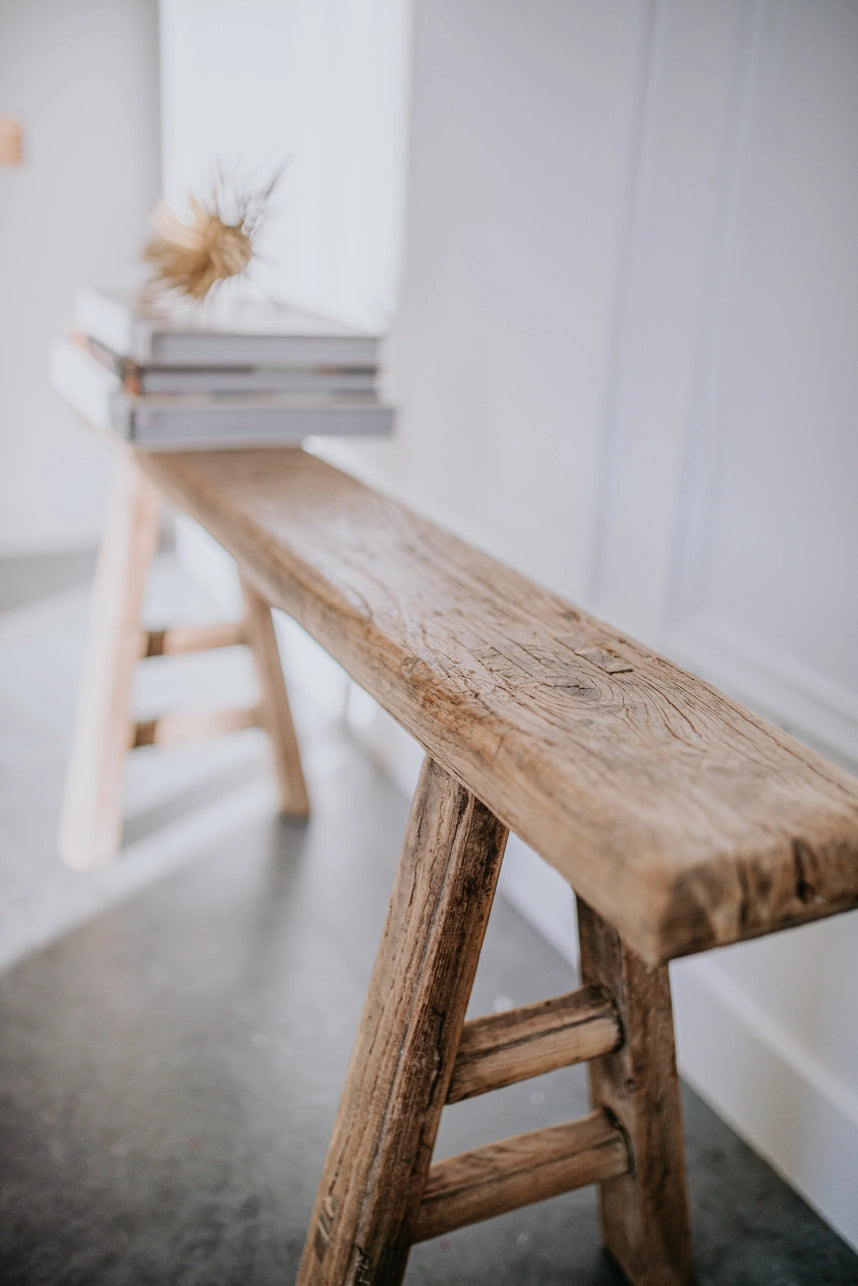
(84, 80)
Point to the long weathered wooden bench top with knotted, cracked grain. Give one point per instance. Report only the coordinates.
(681, 817)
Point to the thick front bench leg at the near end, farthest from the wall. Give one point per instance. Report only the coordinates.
(380, 1153)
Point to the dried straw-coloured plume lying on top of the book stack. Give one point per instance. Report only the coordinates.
(213, 245)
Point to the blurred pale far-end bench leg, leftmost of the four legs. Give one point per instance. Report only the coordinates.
(91, 826)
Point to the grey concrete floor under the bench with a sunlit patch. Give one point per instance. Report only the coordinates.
(174, 1032)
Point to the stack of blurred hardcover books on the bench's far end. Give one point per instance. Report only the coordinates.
(246, 375)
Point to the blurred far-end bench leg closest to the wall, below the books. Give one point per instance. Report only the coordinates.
(275, 704)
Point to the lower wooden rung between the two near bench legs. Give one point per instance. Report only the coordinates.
(519, 1172)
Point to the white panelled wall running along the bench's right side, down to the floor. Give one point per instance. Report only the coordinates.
(625, 361)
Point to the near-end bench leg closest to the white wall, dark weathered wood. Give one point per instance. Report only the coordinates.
(645, 1213)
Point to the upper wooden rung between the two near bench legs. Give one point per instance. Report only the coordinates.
(504, 1049)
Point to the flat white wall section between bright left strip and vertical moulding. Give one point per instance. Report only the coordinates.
(519, 156)
